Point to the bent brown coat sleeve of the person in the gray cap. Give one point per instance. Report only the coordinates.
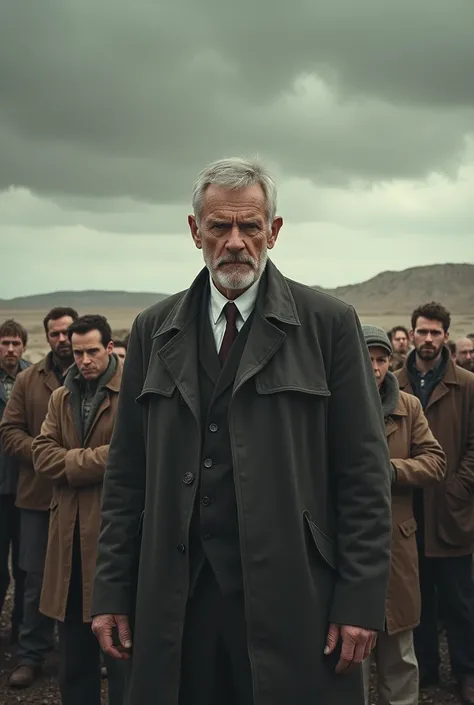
(427, 462)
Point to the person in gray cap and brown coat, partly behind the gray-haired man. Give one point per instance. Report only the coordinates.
(418, 461)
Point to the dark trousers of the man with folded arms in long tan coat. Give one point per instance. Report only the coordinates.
(79, 652)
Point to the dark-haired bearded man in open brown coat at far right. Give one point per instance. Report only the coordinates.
(444, 513)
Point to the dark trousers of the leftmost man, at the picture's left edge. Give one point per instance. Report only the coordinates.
(10, 542)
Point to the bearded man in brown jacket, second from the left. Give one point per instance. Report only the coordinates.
(22, 421)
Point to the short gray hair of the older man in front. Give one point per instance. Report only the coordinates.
(235, 173)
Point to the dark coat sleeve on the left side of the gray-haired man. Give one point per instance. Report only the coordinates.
(123, 493)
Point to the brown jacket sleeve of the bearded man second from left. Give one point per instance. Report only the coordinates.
(14, 434)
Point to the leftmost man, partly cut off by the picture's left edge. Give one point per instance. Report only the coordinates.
(13, 339)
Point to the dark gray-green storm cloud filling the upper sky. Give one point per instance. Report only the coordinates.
(117, 99)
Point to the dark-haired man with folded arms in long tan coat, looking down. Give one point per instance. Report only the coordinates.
(70, 454)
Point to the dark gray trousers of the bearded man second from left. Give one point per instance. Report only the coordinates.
(36, 638)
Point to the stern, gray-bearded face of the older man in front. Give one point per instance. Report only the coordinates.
(234, 235)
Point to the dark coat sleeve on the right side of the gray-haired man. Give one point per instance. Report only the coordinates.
(361, 474)
